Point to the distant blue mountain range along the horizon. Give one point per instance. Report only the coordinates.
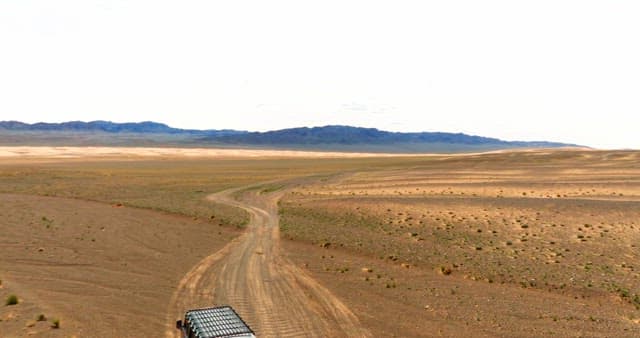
(320, 138)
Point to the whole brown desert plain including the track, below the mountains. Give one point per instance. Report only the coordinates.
(119, 242)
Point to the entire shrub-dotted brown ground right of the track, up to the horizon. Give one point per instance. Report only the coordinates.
(538, 244)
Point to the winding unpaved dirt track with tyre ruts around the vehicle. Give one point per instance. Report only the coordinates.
(276, 297)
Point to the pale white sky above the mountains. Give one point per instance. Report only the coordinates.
(518, 70)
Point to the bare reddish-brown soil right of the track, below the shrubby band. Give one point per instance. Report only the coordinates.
(395, 301)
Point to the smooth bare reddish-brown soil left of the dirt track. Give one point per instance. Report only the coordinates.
(102, 270)
